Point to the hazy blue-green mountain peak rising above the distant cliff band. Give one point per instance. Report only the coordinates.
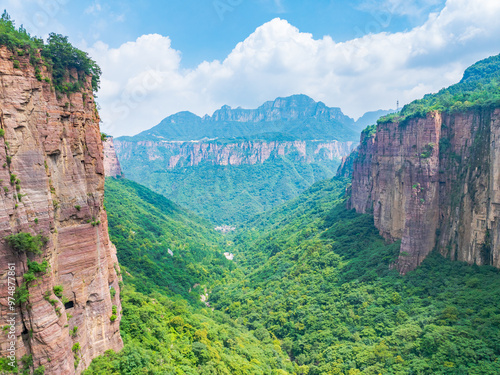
(297, 115)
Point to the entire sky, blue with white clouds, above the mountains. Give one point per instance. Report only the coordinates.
(162, 57)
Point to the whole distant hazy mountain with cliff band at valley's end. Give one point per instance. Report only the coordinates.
(240, 162)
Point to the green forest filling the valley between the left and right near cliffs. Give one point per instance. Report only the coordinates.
(310, 291)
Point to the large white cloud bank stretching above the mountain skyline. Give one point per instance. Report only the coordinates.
(143, 81)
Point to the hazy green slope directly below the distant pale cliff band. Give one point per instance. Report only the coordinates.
(229, 194)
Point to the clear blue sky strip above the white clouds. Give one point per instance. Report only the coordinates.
(209, 29)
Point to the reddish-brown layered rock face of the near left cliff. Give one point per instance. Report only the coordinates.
(53, 184)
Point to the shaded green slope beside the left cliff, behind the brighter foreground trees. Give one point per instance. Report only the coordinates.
(145, 226)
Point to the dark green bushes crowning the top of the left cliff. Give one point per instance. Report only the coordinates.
(58, 56)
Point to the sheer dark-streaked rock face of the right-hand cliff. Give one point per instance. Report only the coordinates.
(434, 181)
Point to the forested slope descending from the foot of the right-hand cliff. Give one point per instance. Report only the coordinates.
(317, 277)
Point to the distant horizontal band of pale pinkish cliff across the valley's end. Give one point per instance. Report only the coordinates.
(176, 154)
